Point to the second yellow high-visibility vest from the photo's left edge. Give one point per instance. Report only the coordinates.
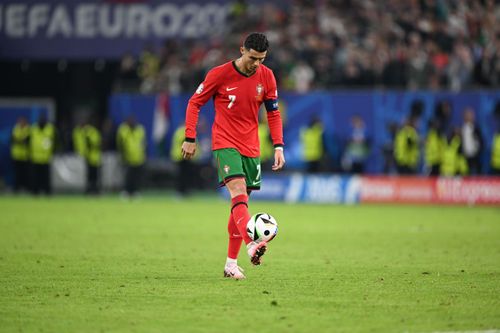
(42, 143)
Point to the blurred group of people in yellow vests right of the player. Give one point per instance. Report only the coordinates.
(437, 148)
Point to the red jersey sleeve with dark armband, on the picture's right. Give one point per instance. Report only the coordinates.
(273, 113)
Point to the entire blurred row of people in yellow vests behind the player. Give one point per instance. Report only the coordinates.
(442, 149)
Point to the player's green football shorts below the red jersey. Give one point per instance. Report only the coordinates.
(231, 164)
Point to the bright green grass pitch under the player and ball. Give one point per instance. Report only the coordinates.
(70, 264)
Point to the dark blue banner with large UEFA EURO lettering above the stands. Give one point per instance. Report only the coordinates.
(34, 29)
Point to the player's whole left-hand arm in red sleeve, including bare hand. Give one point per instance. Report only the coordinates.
(203, 93)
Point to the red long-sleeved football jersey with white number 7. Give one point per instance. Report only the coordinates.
(237, 100)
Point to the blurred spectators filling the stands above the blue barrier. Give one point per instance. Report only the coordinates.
(325, 44)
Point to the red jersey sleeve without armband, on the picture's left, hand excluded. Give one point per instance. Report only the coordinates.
(203, 93)
